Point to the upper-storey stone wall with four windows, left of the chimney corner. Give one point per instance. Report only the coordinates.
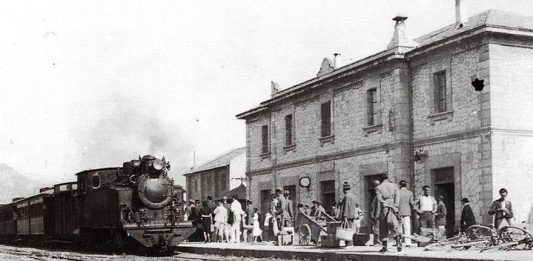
(349, 119)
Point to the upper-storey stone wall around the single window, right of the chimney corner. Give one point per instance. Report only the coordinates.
(463, 112)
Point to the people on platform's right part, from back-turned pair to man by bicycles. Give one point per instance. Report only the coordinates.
(393, 206)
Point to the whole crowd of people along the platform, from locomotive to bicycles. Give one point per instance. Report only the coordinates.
(390, 214)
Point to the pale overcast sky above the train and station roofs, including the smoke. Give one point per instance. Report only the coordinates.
(90, 84)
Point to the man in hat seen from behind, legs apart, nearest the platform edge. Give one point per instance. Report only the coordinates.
(388, 195)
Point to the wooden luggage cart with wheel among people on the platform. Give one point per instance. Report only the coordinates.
(309, 229)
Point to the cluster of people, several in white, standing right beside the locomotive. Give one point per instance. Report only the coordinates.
(224, 220)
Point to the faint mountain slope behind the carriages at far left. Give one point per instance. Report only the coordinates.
(13, 184)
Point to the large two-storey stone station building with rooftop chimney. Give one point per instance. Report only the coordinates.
(410, 111)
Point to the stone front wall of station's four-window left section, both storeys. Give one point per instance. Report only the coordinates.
(356, 150)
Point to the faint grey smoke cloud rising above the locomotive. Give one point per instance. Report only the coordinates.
(125, 128)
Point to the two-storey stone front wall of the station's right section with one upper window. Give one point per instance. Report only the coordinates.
(456, 138)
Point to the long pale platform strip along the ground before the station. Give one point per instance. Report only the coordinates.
(367, 253)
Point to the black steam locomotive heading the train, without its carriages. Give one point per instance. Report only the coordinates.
(136, 205)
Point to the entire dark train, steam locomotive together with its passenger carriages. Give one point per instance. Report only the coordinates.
(135, 206)
